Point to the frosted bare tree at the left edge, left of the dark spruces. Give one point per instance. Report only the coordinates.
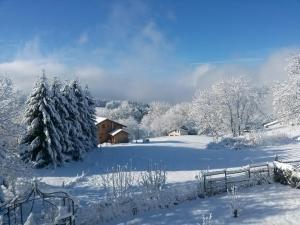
(11, 167)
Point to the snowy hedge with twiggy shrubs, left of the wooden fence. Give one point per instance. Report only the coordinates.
(128, 195)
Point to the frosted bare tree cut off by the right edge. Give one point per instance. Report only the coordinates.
(286, 94)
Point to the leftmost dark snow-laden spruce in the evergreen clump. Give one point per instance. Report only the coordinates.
(41, 142)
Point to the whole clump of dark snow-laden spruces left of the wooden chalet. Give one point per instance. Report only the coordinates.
(60, 121)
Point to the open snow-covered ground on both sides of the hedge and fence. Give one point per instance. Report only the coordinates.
(183, 158)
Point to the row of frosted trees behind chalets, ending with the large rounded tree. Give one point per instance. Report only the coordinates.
(229, 106)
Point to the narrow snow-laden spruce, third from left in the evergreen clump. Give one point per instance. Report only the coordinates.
(76, 147)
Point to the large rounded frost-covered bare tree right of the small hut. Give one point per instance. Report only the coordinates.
(227, 107)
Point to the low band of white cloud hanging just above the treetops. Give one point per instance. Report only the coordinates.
(133, 78)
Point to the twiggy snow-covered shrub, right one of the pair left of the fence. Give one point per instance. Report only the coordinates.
(154, 178)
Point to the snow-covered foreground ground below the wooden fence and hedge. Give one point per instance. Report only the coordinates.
(261, 205)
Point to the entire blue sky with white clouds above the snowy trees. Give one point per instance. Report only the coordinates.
(146, 44)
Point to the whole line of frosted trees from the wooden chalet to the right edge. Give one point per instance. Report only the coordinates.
(229, 106)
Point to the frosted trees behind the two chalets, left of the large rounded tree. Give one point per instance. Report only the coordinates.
(153, 119)
